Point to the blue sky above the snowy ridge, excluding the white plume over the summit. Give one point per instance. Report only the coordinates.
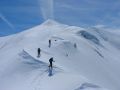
(19, 15)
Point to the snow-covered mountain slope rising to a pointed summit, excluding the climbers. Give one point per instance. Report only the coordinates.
(93, 65)
